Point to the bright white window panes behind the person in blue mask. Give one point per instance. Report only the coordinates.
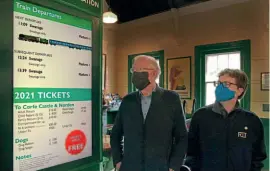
(214, 63)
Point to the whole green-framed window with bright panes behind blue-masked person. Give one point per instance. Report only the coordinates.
(210, 59)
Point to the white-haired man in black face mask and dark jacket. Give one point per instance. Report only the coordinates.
(152, 123)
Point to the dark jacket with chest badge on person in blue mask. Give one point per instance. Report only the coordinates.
(225, 142)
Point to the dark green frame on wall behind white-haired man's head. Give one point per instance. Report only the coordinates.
(157, 55)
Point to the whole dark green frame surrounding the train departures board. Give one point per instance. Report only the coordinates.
(6, 88)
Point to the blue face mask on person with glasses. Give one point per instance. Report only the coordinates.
(224, 93)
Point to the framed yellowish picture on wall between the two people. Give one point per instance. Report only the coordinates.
(179, 76)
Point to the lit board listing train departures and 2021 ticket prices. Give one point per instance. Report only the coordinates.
(52, 88)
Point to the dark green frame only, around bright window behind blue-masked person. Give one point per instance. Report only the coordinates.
(242, 46)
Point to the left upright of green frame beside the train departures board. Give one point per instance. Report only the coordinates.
(6, 88)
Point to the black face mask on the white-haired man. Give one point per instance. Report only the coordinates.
(140, 80)
